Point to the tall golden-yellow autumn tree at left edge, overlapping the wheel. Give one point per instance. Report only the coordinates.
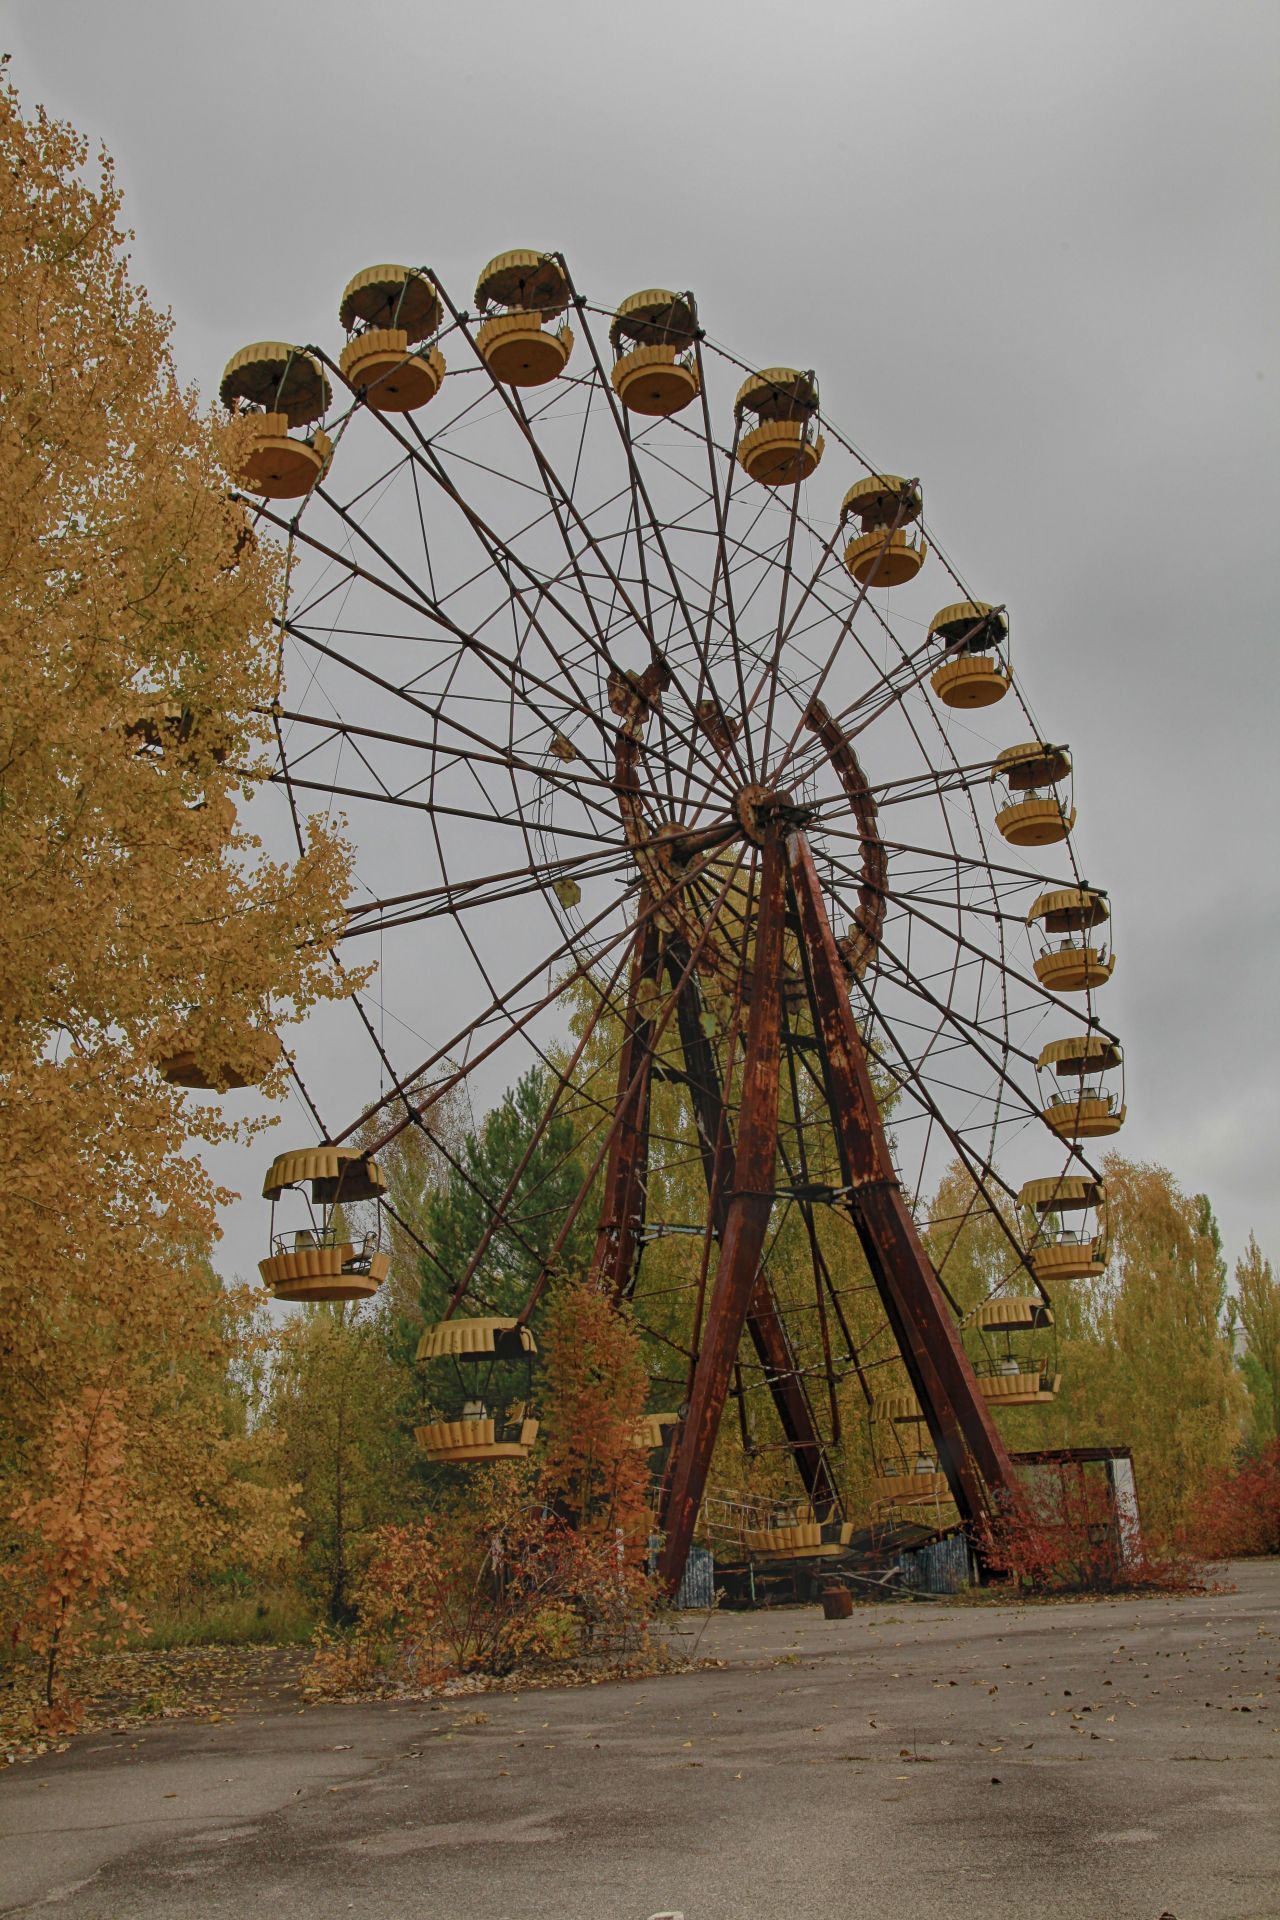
(139, 660)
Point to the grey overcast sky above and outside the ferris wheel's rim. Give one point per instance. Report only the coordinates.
(1030, 251)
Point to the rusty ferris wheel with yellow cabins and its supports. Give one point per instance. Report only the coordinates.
(680, 759)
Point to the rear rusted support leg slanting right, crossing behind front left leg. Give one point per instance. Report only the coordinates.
(765, 1324)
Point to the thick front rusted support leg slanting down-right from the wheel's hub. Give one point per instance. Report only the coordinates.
(970, 1449)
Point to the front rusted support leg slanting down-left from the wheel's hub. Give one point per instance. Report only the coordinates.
(747, 1218)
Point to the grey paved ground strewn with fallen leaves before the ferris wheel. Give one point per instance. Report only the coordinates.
(1110, 1760)
